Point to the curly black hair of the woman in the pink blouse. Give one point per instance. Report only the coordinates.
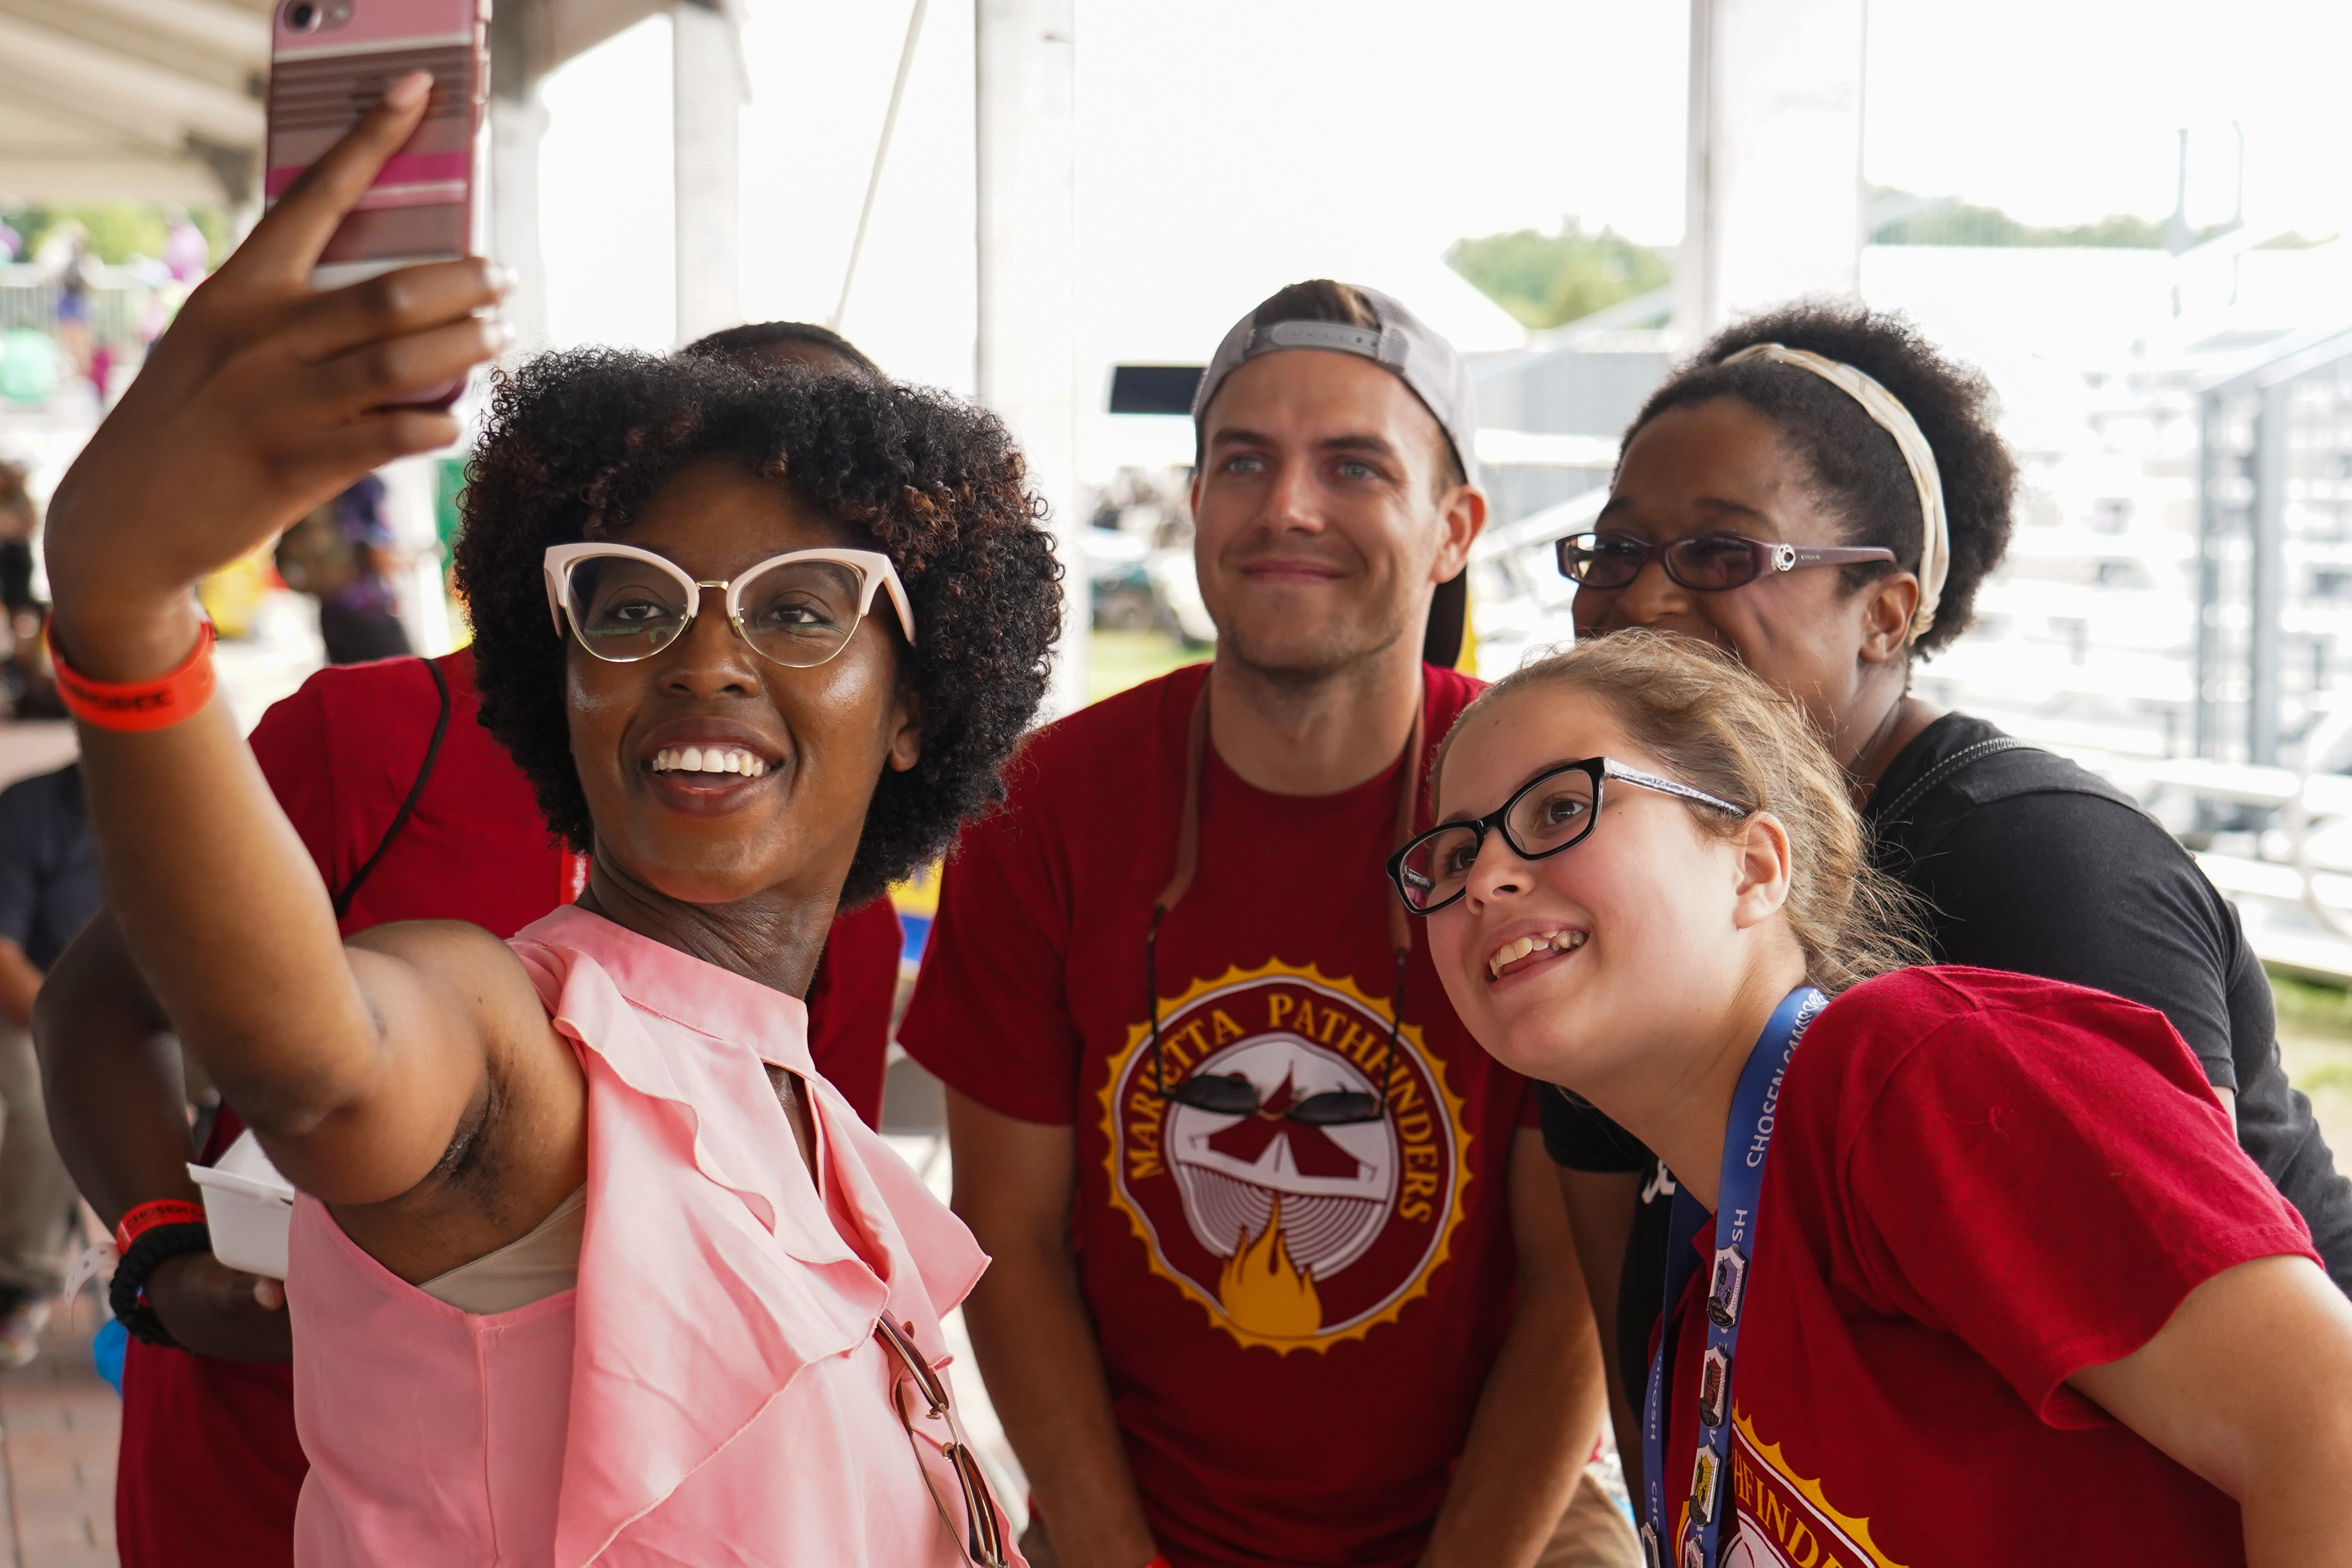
(580, 441)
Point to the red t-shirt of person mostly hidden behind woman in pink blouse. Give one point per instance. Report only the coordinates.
(211, 1466)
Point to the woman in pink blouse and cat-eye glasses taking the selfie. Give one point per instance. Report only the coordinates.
(587, 1261)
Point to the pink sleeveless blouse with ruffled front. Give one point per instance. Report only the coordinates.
(711, 1391)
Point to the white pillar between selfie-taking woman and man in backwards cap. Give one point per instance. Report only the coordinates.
(1027, 100)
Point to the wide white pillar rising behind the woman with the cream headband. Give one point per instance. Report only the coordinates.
(1775, 201)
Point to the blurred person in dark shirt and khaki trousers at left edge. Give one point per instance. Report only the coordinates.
(48, 892)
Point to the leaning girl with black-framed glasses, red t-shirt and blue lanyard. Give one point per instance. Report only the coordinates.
(1885, 1346)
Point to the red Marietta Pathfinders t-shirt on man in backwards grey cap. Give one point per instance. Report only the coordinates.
(1297, 1322)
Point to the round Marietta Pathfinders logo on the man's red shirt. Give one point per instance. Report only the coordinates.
(1290, 1233)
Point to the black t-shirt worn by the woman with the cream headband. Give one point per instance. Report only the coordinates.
(2038, 866)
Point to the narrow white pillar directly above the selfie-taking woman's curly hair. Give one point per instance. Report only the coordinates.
(707, 114)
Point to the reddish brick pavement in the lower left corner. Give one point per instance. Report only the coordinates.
(58, 1442)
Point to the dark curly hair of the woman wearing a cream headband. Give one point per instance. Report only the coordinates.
(1857, 467)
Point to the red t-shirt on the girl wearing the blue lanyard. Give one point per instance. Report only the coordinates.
(1918, 1299)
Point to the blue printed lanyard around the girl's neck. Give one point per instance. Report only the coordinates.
(1746, 1141)
